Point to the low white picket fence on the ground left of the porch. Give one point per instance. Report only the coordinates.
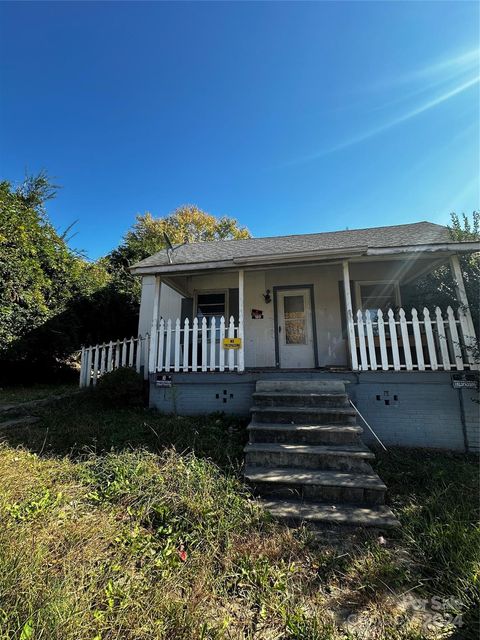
(102, 358)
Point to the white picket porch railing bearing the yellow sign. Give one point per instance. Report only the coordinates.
(198, 347)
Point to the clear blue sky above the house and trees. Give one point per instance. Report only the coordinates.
(292, 117)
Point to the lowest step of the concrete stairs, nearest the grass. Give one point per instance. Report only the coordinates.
(353, 515)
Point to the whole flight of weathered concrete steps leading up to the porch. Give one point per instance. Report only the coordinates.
(305, 457)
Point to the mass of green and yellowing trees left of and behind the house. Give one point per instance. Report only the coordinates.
(52, 299)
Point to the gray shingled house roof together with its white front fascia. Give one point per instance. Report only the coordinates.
(376, 241)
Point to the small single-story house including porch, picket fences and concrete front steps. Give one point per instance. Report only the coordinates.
(314, 335)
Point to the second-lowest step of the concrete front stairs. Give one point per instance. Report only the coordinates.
(307, 476)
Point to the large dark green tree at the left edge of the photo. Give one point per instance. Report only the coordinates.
(41, 277)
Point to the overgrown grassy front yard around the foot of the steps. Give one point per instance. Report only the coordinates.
(125, 524)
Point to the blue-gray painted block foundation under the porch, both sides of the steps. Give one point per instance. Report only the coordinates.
(422, 409)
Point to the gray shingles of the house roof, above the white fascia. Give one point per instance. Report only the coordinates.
(289, 247)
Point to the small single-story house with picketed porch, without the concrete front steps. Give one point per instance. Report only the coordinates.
(221, 316)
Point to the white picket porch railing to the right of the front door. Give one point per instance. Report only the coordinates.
(418, 343)
